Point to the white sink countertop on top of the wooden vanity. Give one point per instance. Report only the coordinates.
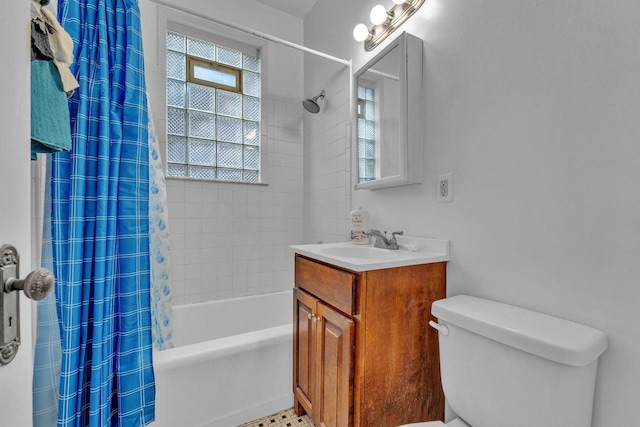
(364, 258)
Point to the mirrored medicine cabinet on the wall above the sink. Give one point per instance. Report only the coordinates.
(388, 111)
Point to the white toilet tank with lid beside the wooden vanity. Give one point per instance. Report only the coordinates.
(504, 366)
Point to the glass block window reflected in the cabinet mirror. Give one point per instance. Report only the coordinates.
(366, 134)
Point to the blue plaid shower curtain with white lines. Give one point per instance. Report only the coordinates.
(100, 223)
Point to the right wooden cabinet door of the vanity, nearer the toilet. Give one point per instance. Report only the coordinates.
(335, 353)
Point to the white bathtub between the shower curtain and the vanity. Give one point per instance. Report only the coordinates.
(232, 362)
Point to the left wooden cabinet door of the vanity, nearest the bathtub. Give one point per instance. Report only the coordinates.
(304, 350)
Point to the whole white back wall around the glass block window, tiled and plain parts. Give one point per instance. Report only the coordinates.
(228, 239)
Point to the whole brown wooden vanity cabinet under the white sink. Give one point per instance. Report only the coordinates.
(363, 353)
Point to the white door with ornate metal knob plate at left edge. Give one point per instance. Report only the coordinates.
(15, 204)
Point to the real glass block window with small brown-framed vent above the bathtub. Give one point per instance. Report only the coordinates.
(213, 111)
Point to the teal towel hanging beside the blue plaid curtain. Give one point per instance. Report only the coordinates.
(50, 127)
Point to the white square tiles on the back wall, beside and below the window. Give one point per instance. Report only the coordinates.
(230, 240)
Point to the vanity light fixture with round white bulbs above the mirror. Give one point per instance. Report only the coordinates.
(385, 22)
